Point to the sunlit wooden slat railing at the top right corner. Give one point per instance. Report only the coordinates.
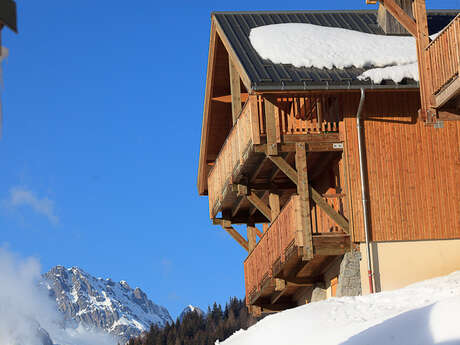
(444, 56)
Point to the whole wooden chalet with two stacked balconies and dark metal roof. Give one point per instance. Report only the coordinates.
(281, 153)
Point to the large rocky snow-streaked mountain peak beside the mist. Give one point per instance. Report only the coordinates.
(102, 303)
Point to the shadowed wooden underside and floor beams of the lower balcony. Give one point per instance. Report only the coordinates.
(295, 273)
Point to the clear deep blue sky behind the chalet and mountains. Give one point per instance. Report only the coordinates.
(102, 119)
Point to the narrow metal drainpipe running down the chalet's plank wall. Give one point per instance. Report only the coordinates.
(363, 188)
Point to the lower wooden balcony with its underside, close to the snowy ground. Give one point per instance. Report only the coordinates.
(276, 268)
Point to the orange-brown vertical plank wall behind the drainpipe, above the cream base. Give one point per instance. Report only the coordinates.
(413, 170)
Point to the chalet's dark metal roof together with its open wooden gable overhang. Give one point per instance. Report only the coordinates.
(236, 70)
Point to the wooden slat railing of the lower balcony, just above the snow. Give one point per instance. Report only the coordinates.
(284, 234)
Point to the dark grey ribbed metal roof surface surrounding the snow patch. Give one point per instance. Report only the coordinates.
(265, 75)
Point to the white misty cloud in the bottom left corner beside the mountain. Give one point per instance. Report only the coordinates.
(28, 316)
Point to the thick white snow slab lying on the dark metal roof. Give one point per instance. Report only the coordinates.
(308, 45)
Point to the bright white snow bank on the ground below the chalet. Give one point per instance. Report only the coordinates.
(425, 313)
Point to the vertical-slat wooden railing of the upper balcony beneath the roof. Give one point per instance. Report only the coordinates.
(293, 116)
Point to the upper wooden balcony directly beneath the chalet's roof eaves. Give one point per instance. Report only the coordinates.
(274, 124)
